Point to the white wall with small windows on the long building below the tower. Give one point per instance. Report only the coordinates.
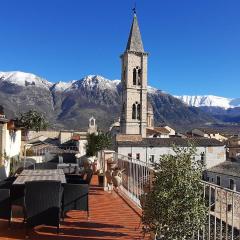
(213, 155)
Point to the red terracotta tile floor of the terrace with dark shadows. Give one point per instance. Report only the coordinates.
(110, 218)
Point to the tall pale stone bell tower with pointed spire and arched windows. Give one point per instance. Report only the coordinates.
(134, 84)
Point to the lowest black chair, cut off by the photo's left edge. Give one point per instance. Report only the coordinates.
(5, 205)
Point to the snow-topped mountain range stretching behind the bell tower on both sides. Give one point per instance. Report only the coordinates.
(69, 105)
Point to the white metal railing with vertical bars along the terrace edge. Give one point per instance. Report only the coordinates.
(223, 216)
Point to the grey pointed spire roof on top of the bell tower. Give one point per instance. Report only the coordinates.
(135, 40)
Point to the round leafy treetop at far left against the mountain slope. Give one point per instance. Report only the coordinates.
(33, 120)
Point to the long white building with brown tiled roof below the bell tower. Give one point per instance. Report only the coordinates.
(210, 151)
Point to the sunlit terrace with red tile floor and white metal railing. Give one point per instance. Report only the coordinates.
(116, 213)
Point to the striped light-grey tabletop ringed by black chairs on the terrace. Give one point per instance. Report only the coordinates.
(40, 175)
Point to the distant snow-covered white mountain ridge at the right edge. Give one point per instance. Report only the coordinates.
(210, 101)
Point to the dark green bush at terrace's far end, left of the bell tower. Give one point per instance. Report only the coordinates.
(97, 142)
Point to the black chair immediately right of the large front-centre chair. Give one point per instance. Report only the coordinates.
(75, 197)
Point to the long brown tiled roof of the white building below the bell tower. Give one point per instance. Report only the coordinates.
(169, 142)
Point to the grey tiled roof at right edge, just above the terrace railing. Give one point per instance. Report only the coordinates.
(227, 168)
